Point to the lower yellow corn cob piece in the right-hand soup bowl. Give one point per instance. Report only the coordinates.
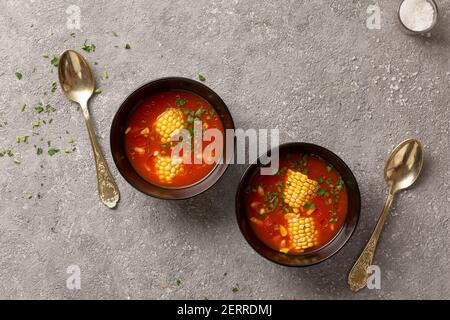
(302, 232)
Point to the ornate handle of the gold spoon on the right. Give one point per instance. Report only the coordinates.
(357, 278)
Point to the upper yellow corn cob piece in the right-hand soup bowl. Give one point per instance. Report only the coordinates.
(299, 189)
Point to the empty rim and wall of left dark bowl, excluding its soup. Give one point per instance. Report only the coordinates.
(119, 125)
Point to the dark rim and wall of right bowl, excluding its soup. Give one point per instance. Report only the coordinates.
(332, 247)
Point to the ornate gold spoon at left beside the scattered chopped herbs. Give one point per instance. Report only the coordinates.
(77, 83)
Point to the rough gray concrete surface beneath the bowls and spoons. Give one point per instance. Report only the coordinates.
(310, 68)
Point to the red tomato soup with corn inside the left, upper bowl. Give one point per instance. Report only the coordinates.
(146, 142)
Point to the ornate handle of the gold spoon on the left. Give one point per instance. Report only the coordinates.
(107, 187)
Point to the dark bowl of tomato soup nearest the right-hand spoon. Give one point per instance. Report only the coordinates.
(305, 211)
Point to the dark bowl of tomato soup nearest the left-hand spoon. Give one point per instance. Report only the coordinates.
(168, 138)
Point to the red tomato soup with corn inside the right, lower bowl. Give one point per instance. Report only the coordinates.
(293, 229)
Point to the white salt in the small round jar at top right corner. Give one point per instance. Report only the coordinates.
(417, 15)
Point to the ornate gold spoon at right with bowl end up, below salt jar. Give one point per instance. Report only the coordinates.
(401, 171)
